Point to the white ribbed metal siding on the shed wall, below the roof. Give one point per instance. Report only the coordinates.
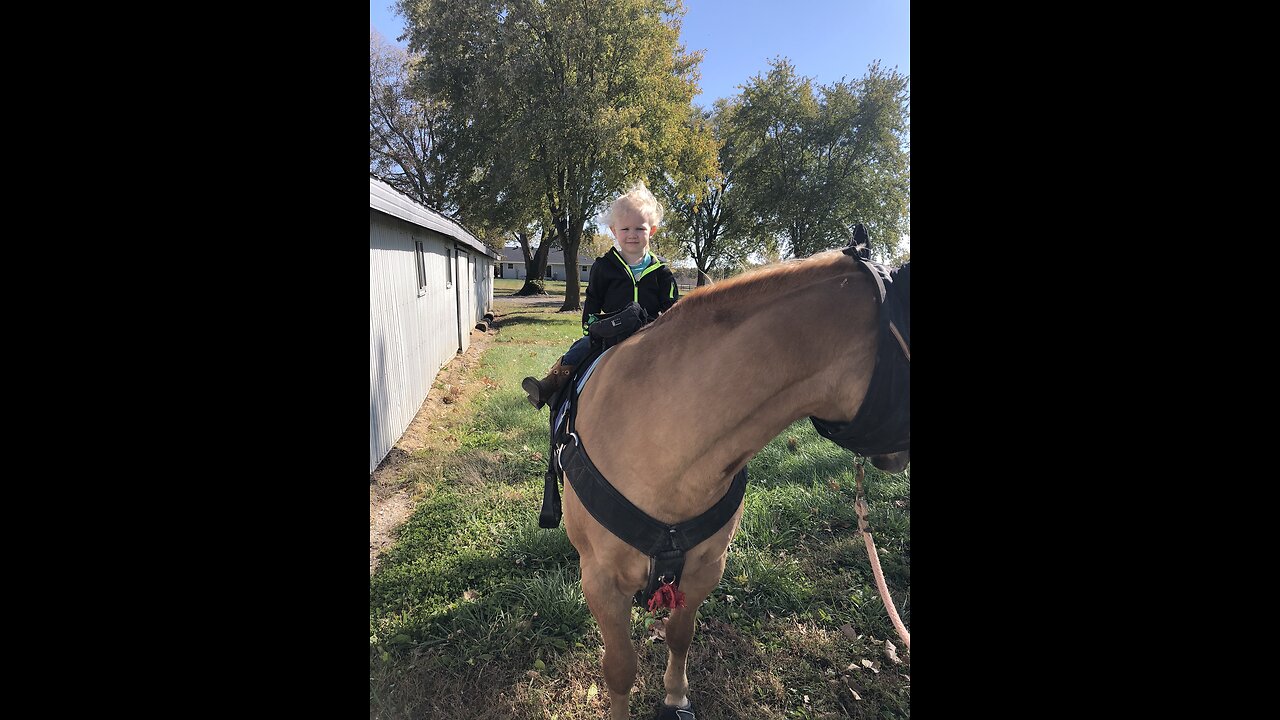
(410, 338)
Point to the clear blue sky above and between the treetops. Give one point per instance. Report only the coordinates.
(824, 39)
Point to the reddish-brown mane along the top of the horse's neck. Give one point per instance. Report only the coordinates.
(720, 300)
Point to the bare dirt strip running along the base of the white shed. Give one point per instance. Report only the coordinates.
(390, 500)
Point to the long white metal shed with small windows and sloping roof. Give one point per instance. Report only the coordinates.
(431, 282)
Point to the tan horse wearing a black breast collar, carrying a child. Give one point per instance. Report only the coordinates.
(671, 416)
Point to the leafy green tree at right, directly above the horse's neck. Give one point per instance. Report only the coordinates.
(816, 163)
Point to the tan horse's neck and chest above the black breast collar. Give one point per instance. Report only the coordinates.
(716, 384)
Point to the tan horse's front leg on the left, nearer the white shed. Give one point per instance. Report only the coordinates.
(612, 612)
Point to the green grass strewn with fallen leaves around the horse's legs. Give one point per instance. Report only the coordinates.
(477, 608)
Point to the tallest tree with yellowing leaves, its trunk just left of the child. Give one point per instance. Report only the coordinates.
(578, 98)
